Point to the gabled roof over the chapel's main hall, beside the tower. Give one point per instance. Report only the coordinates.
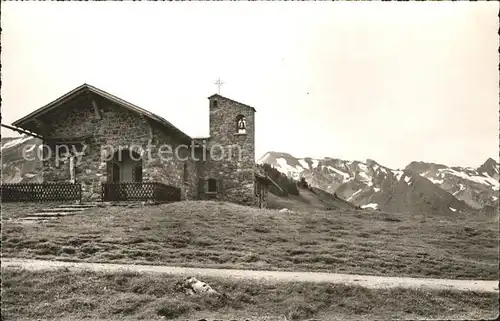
(86, 88)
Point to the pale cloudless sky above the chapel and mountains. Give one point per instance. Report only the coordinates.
(392, 82)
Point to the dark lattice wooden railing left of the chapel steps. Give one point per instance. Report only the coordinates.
(41, 192)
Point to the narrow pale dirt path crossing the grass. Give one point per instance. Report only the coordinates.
(374, 282)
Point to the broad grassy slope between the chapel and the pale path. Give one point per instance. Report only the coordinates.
(213, 234)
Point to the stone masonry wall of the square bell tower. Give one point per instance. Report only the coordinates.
(232, 155)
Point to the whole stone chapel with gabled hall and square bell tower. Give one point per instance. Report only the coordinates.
(91, 137)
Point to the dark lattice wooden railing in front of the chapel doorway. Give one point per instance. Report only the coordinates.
(137, 191)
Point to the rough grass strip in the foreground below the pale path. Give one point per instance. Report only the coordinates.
(65, 295)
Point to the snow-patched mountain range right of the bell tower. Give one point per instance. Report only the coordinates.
(419, 187)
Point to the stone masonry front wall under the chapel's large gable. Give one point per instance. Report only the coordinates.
(117, 127)
